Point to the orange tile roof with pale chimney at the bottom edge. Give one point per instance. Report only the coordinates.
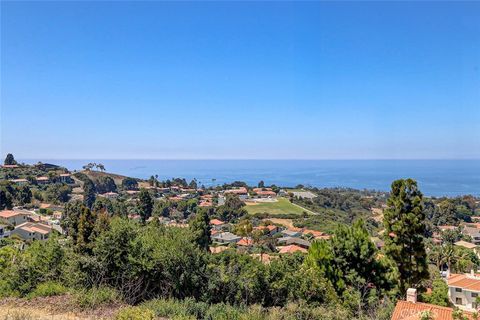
(413, 310)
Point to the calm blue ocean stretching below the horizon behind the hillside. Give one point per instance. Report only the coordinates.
(435, 177)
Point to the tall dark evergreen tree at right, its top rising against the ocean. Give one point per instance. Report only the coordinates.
(404, 221)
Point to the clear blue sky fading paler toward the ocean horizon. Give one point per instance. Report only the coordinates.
(240, 80)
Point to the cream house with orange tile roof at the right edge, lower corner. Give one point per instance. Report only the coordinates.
(463, 290)
